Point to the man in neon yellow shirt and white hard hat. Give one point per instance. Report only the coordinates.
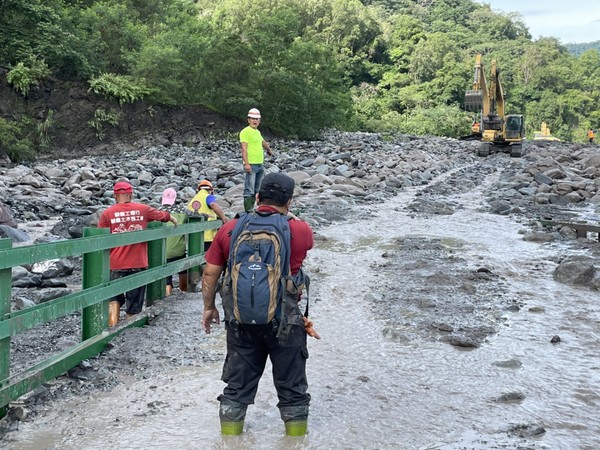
(253, 147)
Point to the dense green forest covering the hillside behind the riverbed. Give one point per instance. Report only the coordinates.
(398, 65)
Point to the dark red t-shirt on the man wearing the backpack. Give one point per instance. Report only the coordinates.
(302, 241)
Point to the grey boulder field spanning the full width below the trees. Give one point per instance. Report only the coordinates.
(334, 176)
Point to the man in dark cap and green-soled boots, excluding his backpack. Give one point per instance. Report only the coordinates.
(248, 346)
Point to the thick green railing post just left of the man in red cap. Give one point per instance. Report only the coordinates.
(96, 270)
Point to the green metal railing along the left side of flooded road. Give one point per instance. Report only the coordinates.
(92, 301)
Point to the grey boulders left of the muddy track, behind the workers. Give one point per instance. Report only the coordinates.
(337, 172)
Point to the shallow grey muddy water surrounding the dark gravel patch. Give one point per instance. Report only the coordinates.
(372, 392)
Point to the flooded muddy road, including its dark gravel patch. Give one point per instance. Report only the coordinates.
(437, 321)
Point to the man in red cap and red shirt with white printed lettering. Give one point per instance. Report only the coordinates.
(122, 217)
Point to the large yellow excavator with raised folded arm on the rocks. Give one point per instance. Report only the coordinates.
(499, 131)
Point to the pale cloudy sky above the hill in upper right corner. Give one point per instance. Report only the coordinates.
(568, 20)
